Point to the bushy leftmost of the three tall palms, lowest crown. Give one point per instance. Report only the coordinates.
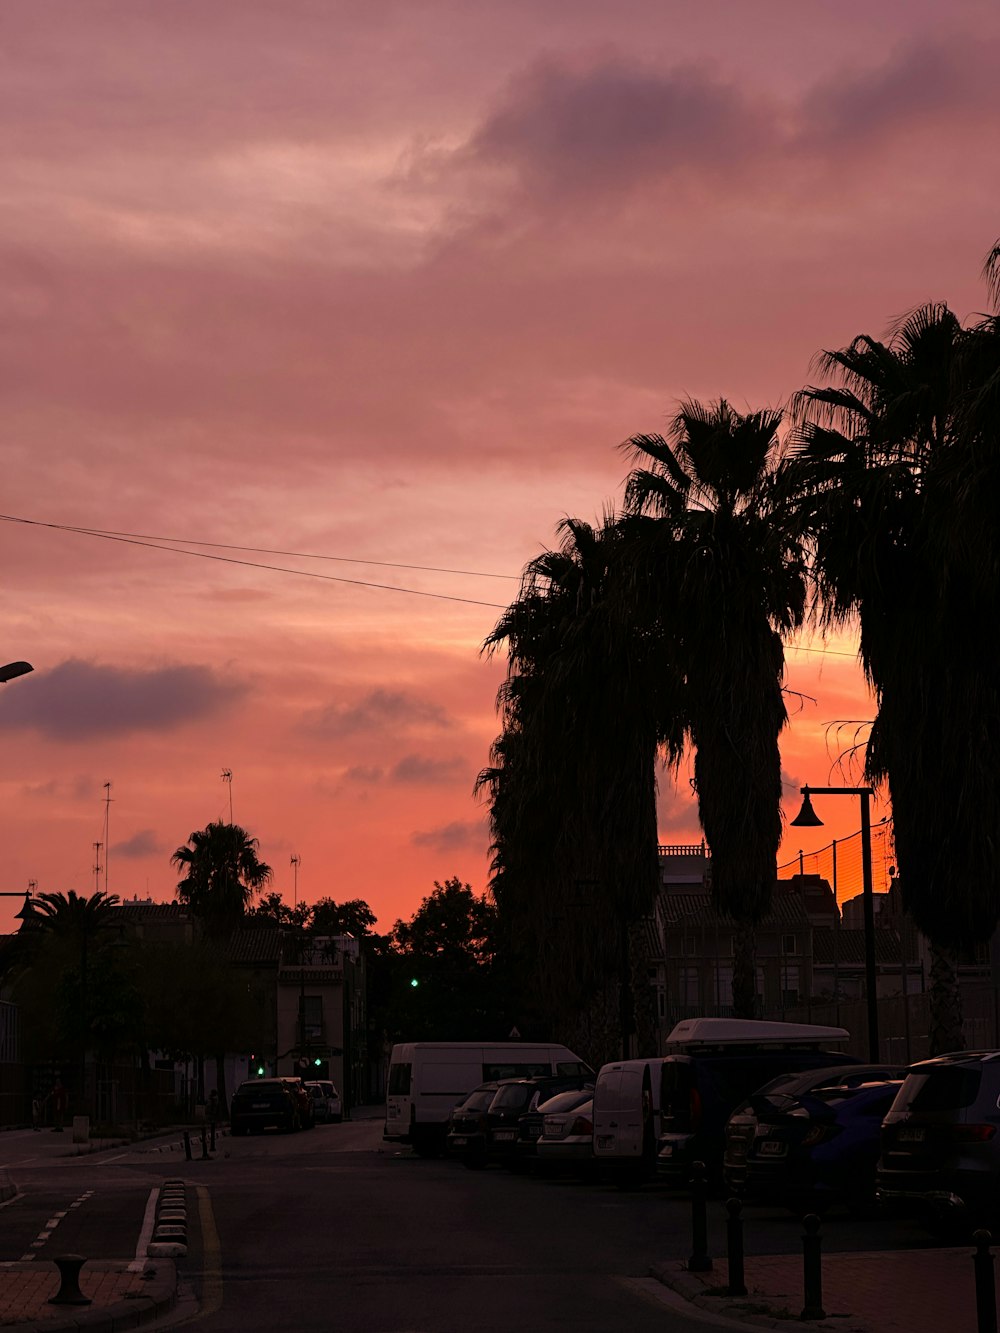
(573, 783)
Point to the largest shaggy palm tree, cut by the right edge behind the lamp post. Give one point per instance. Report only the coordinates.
(898, 463)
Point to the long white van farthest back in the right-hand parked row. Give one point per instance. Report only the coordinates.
(429, 1078)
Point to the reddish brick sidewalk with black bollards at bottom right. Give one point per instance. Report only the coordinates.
(886, 1292)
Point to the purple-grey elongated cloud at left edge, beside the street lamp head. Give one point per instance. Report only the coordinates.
(79, 700)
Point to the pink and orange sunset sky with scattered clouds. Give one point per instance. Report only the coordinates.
(383, 287)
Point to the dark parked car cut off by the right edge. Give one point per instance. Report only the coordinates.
(941, 1142)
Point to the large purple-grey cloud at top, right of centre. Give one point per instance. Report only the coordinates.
(614, 125)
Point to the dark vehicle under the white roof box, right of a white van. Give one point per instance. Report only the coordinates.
(701, 1091)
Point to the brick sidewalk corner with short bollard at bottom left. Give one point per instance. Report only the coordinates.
(123, 1295)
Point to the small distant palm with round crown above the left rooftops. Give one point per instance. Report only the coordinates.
(222, 875)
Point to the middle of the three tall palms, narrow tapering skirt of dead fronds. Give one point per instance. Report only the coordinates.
(731, 547)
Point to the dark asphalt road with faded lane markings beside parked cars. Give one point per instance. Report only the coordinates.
(334, 1228)
